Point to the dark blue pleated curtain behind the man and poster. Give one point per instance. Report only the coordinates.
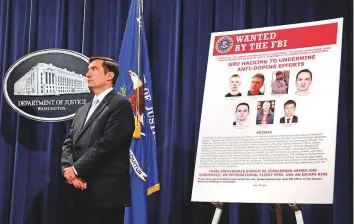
(178, 35)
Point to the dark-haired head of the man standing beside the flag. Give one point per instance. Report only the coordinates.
(102, 73)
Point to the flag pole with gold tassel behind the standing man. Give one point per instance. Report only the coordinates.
(137, 131)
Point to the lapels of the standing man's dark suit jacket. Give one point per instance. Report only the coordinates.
(98, 110)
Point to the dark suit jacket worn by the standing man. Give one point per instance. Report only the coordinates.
(99, 151)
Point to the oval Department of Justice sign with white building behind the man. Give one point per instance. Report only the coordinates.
(48, 85)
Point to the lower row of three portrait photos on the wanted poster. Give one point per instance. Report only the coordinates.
(264, 113)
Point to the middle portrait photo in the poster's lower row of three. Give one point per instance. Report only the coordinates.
(265, 112)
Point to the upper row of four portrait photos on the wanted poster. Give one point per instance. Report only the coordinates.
(280, 82)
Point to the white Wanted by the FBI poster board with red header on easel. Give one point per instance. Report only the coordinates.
(269, 116)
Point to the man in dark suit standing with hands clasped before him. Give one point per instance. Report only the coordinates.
(95, 155)
